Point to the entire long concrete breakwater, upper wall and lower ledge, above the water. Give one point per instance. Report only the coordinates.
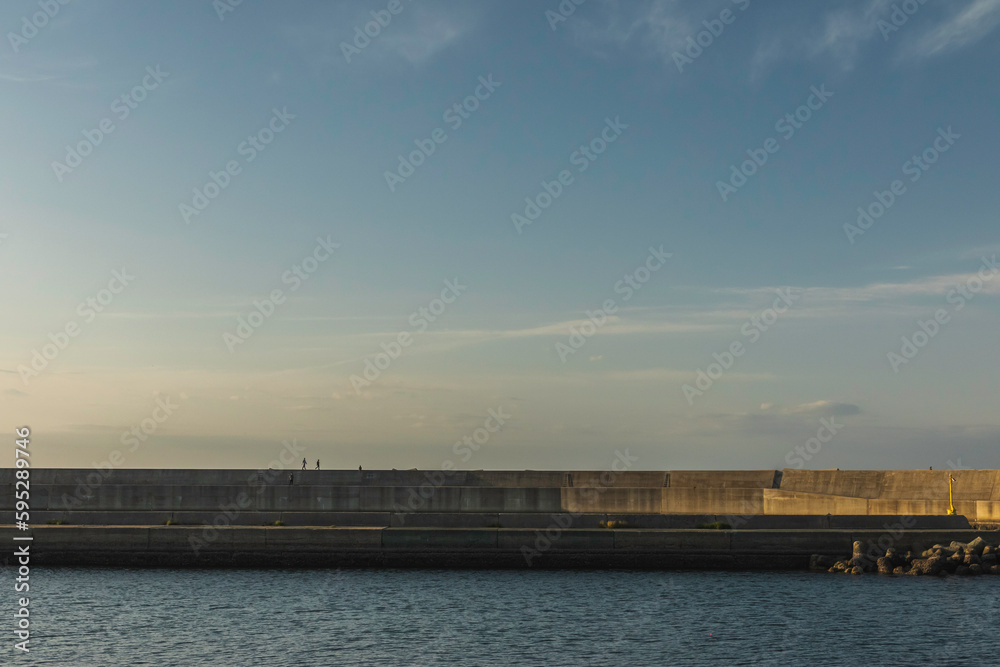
(660, 519)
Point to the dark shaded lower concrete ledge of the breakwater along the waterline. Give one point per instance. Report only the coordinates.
(552, 547)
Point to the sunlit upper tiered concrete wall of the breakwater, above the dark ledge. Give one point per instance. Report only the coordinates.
(181, 495)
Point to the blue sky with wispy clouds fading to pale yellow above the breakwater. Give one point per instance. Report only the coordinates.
(723, 234)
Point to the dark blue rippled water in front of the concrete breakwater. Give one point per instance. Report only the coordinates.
(425, 617)
